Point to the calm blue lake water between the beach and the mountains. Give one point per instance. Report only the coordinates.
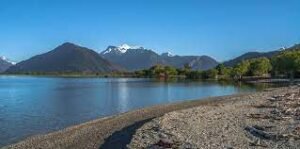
(37, 105)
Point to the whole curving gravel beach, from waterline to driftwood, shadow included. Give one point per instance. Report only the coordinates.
(266, 119)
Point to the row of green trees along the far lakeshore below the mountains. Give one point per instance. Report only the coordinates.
(284, 64)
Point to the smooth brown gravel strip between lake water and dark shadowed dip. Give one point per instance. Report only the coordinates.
(92, 134)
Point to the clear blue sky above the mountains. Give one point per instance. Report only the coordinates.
(222, 29)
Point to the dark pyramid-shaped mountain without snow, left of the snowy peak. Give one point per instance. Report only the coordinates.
(67, 57)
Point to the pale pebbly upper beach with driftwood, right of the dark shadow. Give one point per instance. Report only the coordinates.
(262, 120)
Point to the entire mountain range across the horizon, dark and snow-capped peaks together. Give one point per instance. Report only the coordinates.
(69, 57)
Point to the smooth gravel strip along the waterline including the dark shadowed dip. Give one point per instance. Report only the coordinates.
(119, 129)
